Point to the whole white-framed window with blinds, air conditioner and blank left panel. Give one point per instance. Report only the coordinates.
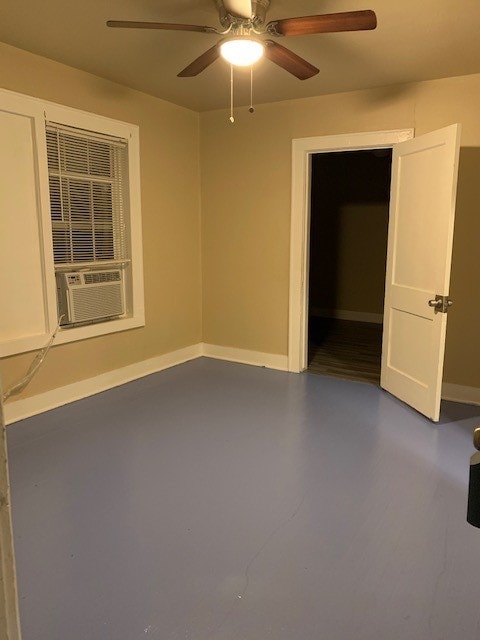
(71, 192)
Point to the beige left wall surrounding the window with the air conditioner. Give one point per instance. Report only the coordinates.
(170, 184)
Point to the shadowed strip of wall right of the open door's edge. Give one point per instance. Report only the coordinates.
(462, 355)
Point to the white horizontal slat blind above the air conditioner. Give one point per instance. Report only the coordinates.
(88, 182)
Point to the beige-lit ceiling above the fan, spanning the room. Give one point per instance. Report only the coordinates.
(415, 40)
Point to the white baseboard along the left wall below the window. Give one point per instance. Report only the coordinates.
(21, 409)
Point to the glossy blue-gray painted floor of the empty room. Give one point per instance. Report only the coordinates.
(216, 501)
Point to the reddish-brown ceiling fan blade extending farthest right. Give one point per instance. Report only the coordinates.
(328, 23)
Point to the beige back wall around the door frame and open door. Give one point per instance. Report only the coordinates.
(246, 191)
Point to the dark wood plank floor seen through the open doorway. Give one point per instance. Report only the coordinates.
(345, 349)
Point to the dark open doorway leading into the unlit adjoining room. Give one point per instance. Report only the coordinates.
(349, 207)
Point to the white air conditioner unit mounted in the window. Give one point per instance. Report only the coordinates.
(89, 296)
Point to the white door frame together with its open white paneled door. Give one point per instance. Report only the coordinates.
(419, 254)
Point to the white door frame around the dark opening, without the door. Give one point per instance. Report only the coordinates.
(302, 151)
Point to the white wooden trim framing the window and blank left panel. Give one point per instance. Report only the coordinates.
(41, 111)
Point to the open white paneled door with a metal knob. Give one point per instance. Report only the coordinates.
(420, 237)
